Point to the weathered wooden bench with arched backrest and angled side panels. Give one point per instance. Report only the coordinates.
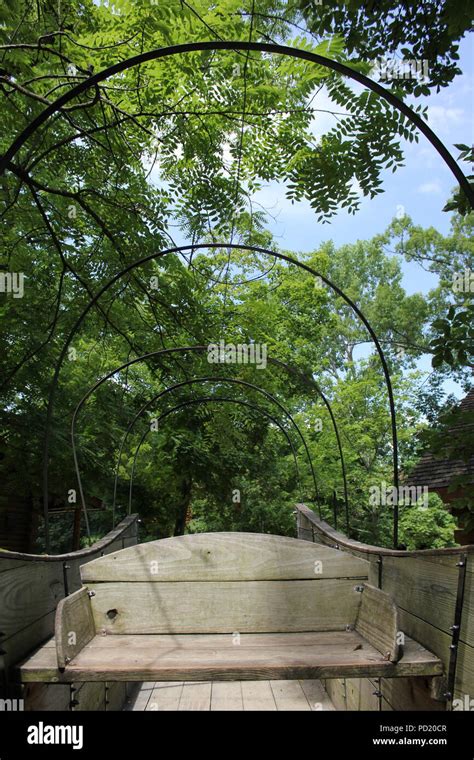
(227, 606)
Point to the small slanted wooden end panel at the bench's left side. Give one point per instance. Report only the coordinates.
(74, 626)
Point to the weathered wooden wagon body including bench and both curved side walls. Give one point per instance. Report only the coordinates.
(379, 627)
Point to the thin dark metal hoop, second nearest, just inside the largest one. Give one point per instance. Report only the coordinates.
(198, 246)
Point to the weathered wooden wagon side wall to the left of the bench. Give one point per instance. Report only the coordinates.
(31, 586)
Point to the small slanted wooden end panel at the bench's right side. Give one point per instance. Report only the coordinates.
(377, 622)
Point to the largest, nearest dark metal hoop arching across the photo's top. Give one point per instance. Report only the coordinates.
(262, 47)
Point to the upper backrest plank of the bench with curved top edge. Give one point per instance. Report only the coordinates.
(224, 557)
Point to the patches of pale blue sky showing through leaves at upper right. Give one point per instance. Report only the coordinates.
(422, 187)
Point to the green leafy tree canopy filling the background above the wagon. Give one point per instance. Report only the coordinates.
(171, 151)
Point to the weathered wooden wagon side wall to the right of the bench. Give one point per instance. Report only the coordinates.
(434, 590)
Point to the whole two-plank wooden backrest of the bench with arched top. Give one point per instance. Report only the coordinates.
(224, 583)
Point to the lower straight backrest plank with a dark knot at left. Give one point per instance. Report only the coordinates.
(225, 607)
